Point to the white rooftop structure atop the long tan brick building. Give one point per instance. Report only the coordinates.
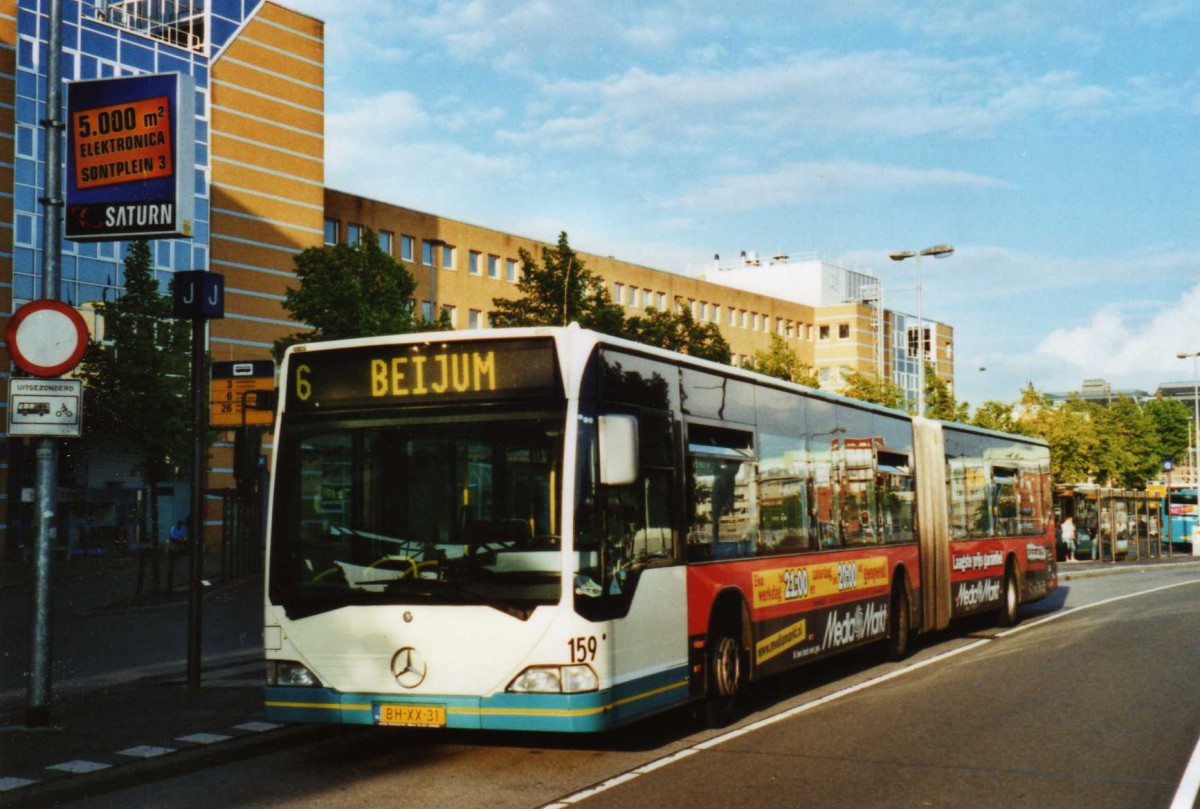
(805, 279)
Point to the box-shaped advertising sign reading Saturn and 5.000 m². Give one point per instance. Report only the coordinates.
(131, 149)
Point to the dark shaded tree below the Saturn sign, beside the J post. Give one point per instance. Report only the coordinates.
(137, 380)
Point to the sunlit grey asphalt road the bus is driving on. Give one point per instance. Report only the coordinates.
(1089, 703)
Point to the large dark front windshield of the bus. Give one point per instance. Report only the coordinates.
(442, 510)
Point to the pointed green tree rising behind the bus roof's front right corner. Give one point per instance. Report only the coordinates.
(560, 292)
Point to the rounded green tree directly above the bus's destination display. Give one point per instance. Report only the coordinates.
(352, 291)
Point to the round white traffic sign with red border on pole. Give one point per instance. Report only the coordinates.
(47, 338)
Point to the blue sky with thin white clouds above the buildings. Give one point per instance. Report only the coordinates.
(1053, 145)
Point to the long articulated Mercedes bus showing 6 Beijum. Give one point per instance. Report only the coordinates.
(551, 530)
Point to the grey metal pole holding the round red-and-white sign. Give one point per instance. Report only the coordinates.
(38, 709)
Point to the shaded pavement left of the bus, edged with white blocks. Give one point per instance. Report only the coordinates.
(122, 712)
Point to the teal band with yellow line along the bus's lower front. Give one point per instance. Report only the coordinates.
(590, 712)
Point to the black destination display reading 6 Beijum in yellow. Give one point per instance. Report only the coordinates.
(421, 374)
